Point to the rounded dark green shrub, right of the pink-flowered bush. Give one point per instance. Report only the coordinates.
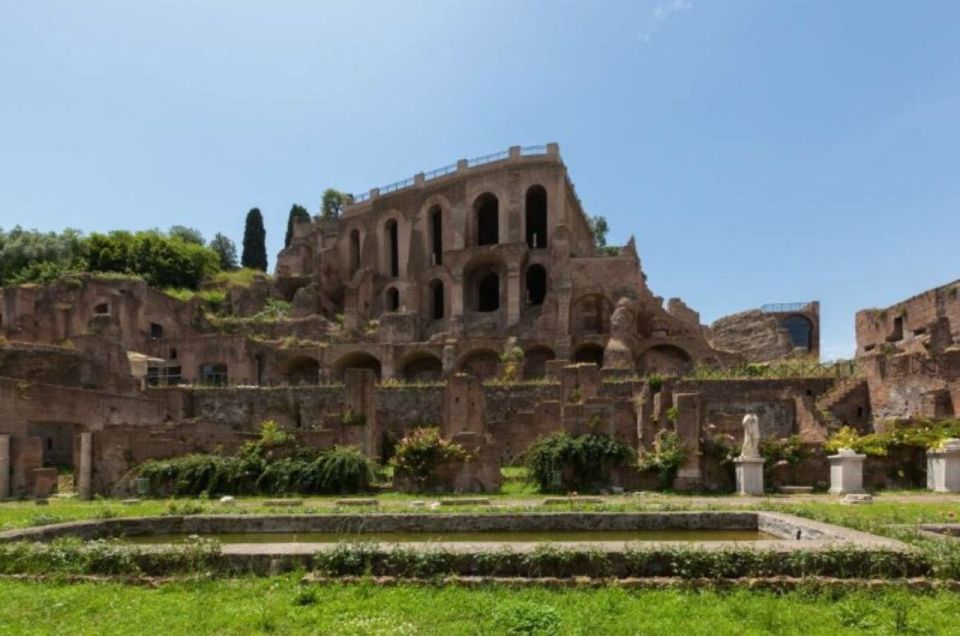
(561, 461)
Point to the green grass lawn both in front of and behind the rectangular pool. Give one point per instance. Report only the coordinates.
(281, 605)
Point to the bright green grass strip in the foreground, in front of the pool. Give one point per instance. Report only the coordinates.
(281, 605)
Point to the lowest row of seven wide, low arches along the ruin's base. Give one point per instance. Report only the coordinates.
(481, 362)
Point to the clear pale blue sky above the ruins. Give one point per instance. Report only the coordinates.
(759, 151)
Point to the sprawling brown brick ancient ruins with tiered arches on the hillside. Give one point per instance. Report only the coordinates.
(472, 298)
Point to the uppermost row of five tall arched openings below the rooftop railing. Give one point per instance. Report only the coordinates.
(485, 229)
